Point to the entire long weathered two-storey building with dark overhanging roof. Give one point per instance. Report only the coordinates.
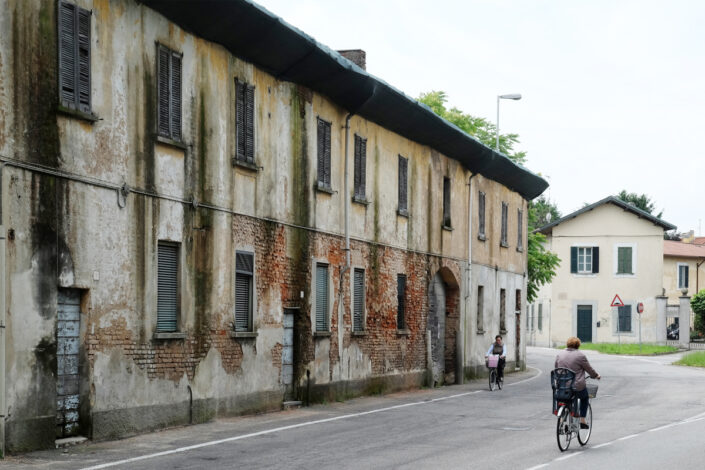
(198, 222)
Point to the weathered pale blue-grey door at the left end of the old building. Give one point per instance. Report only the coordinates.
(67, 347)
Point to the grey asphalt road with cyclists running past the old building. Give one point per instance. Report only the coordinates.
(648, 414)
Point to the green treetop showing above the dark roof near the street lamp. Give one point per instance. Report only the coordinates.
(480, 128)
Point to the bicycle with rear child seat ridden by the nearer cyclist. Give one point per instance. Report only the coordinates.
(567, 408)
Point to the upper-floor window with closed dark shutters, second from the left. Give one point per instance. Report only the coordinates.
(169, 93)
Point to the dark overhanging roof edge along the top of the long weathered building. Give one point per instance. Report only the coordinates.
(458, 144)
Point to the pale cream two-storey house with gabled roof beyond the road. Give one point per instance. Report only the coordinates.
(611, 268)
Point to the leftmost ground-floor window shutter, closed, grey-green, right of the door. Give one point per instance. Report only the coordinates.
(167, 286)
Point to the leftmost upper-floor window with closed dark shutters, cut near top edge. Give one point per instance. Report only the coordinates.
(74, 57)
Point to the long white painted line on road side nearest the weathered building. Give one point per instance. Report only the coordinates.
(270, 431)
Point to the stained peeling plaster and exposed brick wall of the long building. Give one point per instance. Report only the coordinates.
(73, 233)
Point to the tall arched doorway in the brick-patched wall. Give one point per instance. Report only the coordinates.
(443, 323)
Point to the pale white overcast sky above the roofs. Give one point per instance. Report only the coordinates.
(612, 90)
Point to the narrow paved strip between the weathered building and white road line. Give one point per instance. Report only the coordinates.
(91, 454)
